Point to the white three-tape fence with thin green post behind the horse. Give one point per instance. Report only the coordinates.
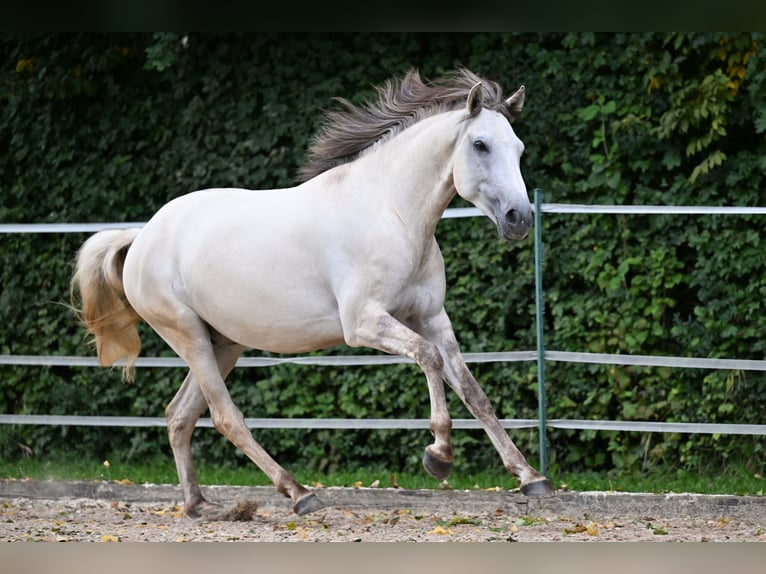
(541, 355)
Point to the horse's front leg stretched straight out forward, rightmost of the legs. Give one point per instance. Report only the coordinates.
(439, 330)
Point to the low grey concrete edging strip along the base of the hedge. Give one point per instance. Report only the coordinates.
(596, 504)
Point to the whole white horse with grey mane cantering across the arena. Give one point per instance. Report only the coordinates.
(346, 256)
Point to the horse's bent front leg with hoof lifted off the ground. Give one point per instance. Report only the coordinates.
(381, 331)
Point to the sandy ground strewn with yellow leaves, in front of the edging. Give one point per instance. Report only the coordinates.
(98, 520)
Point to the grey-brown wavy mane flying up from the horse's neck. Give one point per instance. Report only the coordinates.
(350, 131)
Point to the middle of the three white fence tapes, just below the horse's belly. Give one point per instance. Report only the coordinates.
(360, 360)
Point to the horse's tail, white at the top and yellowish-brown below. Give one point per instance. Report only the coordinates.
(104, 309)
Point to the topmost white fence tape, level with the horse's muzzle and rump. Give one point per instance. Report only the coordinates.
(451, 213)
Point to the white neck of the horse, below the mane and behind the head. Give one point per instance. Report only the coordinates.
(417, 167)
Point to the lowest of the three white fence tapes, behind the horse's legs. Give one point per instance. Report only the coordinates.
(392, 424)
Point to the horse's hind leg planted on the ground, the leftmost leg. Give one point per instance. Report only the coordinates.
(182, 414)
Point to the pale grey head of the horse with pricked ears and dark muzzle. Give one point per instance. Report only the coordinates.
(486, 166)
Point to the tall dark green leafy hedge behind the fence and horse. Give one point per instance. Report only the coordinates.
(109, 127)
